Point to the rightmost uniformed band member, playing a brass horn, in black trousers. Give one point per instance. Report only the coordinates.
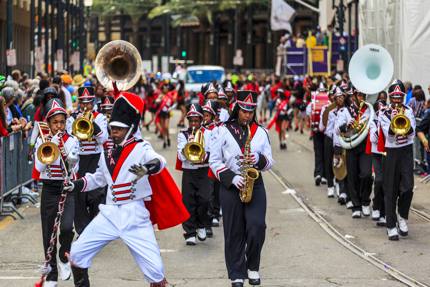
(399, 163)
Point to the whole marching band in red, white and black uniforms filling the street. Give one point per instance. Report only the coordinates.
(102, 181)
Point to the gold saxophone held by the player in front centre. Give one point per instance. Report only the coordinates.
(249, 173)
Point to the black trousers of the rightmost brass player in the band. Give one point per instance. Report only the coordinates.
(398, 183)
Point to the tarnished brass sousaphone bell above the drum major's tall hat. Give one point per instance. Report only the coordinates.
(120, 62)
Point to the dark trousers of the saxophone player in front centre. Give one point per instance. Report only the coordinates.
(244, 229)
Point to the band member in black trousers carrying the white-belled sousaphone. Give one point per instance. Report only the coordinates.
(359, 164)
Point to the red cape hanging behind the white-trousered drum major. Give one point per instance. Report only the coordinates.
(166, 207)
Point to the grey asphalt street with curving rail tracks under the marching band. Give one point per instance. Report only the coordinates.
(297, 251)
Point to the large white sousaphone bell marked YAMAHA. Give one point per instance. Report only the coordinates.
(371, 69)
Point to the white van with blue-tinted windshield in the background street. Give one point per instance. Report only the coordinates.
(196, 76)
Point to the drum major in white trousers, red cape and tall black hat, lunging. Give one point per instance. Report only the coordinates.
(129, 171)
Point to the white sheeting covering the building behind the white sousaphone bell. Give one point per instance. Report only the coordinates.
(403, 28)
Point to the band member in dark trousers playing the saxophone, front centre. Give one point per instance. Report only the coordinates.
(244, 223)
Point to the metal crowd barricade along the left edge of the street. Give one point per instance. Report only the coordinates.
(15, 172)
